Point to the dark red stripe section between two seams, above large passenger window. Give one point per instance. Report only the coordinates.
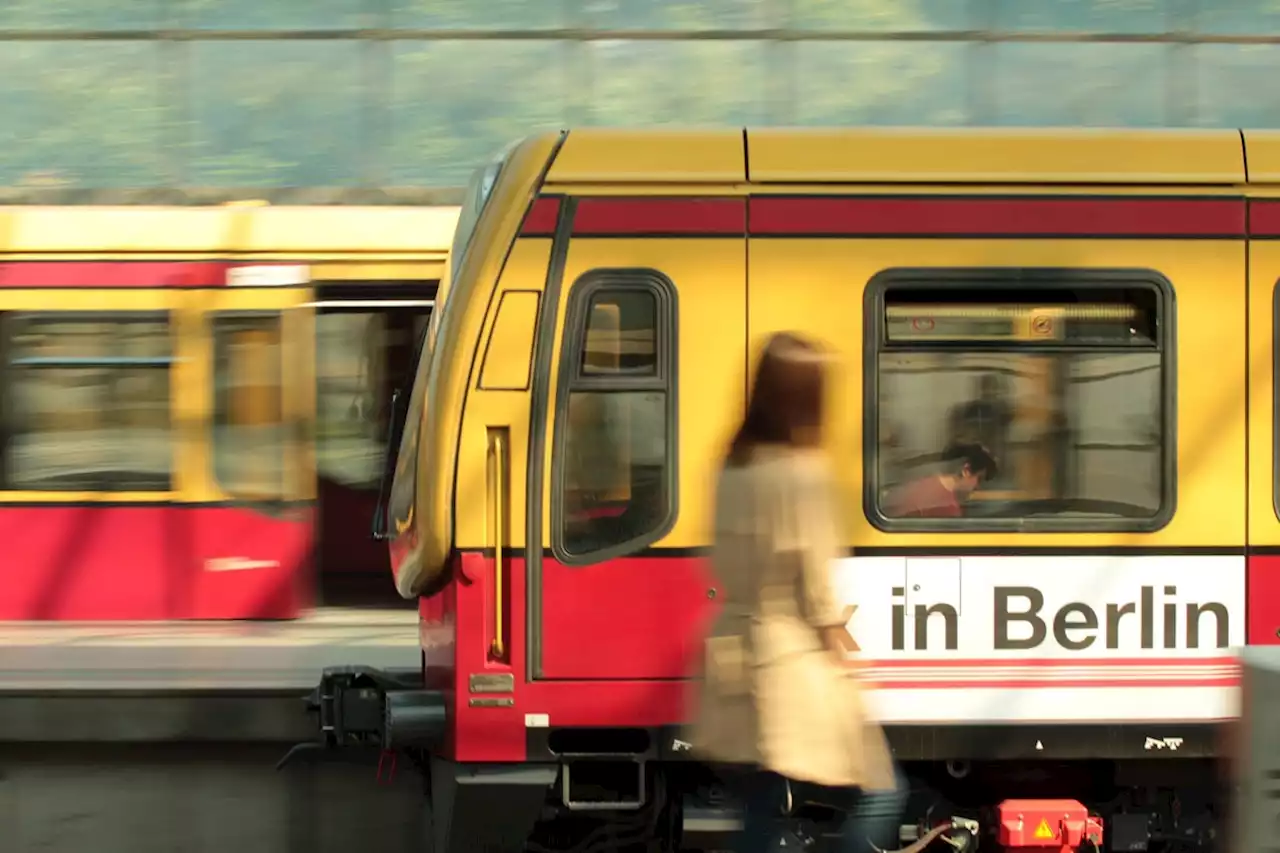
(996, 217)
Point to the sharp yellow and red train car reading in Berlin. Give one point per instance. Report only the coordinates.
(1098, 307)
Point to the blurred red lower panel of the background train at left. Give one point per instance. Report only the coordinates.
(154, 563)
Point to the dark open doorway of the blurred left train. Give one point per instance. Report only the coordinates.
(367, 337)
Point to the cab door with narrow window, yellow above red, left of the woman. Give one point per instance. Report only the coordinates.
(646, 382)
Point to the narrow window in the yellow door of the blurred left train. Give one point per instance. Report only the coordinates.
(250, 437)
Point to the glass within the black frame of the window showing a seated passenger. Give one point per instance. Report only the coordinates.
(1068, 400)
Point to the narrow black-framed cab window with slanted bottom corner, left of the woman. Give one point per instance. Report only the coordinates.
(615, 459)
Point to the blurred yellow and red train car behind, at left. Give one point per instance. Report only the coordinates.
(196, 403)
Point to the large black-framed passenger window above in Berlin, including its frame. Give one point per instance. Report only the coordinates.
(1062, 378)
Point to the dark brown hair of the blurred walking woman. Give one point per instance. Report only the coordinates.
(787, 398)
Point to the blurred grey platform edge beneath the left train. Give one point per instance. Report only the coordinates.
(186, 682)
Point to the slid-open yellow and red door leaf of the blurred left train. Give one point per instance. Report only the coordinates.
(255, 539)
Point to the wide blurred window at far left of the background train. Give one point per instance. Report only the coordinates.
(88, 403)
